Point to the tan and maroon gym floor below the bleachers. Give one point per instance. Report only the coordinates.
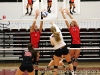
(84, 68)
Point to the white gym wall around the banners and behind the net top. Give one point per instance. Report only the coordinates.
(88, 10)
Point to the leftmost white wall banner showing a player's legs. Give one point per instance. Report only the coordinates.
(29, 7)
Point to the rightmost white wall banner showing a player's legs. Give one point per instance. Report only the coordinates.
(72, 5)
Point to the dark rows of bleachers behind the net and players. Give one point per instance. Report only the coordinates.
(18, 38)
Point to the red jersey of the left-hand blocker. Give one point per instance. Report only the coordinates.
(35, 38)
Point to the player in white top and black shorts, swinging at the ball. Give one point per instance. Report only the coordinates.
(60, 48)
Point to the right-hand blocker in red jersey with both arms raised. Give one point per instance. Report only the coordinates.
(75, 35)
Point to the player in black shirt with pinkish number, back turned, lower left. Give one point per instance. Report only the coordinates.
(29, 58)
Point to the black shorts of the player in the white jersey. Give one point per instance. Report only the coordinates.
(61, 51)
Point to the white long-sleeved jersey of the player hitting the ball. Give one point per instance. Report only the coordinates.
(59, 44)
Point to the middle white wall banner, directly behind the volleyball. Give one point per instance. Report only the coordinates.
(51, 7)
